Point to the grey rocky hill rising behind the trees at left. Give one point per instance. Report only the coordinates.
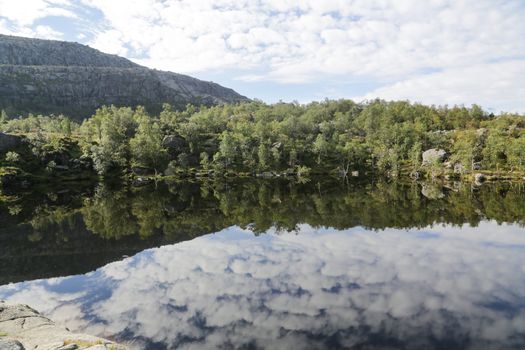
(44, 76)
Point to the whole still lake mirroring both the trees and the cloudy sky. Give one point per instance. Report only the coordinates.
(273, 264)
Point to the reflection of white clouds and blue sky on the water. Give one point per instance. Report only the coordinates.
(440, 287)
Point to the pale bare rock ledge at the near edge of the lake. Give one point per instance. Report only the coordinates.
(22, 328)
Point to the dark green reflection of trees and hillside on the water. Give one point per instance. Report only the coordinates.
(72, 230)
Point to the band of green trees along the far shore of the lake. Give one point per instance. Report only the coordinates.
(329, 136)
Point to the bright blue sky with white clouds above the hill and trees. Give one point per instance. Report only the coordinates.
(433, 51)
